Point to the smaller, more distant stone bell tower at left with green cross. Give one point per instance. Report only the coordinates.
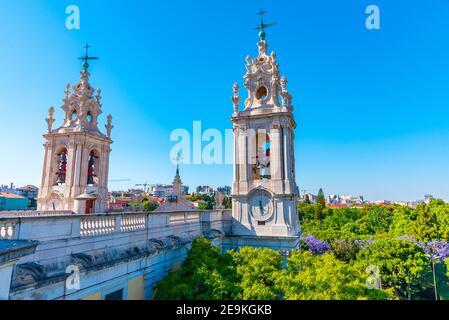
(76, 162)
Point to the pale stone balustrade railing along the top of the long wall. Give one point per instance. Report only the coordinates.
(56, 225)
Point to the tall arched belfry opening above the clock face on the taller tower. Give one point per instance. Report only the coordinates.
(261, 167)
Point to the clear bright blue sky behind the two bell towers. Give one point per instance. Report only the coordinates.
(372, 106)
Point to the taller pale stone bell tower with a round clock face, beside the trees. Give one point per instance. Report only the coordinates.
(265, 194)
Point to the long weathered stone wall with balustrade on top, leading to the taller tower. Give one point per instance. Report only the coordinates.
(105, 246)
